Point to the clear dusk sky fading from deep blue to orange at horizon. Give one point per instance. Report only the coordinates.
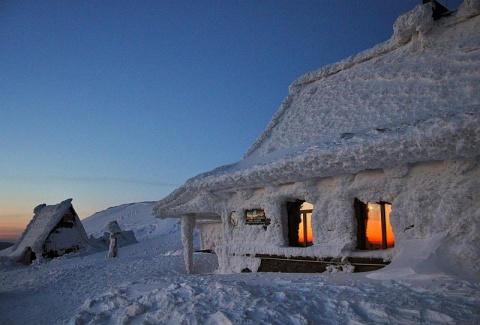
(112, 102)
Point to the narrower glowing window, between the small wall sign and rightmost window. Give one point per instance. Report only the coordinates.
(300, 223)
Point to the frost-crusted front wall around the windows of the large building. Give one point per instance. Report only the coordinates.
(427, 199)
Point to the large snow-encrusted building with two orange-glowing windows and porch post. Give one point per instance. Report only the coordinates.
(369, 158)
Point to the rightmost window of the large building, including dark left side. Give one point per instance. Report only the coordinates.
(373, 225)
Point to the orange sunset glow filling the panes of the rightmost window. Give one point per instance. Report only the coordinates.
(374, 225)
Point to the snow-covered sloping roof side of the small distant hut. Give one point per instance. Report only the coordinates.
(45, 218)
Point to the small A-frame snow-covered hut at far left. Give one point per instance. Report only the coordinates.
(54, 230)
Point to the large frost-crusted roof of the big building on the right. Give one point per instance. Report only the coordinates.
(413, 98)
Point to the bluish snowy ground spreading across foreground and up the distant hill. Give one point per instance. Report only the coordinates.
(147, 284)
